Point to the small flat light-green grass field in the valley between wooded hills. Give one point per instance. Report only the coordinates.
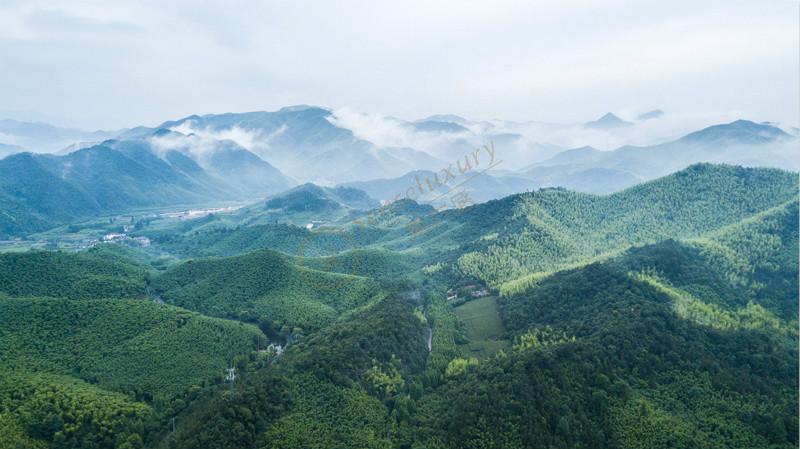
(484, 328)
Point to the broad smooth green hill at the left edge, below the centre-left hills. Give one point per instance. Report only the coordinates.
(148, 350)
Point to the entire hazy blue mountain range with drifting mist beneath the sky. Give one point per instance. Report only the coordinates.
(246, 156)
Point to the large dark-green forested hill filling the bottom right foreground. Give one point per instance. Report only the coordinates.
(606, 356)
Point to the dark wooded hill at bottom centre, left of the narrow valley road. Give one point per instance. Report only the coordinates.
(343, 387)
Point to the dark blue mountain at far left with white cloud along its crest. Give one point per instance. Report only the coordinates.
(39, 191)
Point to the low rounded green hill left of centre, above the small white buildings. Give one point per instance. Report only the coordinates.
(264, 286)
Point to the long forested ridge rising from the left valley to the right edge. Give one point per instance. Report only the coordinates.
(524, 234)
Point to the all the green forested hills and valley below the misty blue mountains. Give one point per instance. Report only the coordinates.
(663, 315)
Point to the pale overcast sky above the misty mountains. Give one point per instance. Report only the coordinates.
(112, 64)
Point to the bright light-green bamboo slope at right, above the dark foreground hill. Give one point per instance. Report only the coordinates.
(554, 228)
